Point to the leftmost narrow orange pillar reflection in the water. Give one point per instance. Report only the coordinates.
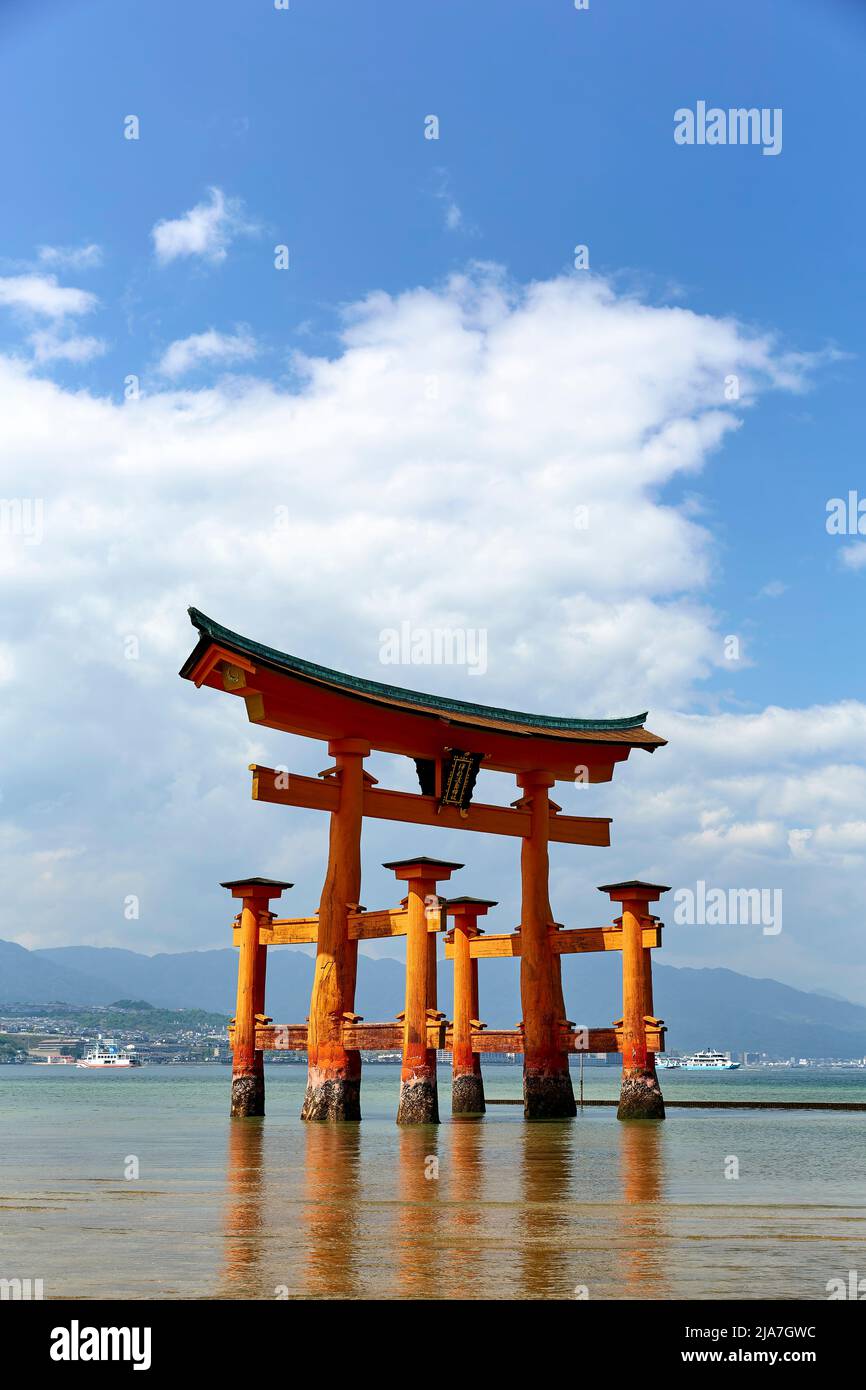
(244, 1218)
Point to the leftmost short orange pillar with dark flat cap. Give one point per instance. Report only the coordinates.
(248, 1065)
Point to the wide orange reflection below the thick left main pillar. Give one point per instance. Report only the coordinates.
(333, 1211)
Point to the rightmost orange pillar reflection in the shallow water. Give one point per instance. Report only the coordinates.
(642, 1167)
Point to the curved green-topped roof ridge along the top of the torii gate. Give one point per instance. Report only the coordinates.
(216, 633)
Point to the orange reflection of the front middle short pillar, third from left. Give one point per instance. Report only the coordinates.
(418, 1229)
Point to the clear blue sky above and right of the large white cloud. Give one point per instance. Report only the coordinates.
(555, 130)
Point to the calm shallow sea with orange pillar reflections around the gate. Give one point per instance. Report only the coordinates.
(243, 1210)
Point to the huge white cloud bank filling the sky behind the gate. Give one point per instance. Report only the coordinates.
(480, 457)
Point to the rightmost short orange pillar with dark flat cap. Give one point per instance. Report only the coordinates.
(640, 1093)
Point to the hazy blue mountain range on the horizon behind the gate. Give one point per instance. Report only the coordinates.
(703, 1008)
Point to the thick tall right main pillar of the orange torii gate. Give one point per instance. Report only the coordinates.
(547, 1082)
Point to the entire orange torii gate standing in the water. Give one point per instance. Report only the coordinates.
(448, 742)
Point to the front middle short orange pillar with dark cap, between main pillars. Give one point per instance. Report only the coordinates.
(419, 1090)
